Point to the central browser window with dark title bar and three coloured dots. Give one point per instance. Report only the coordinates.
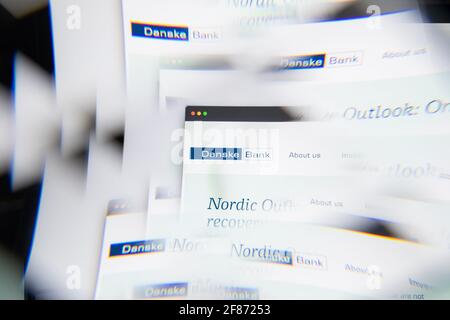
(276, 161)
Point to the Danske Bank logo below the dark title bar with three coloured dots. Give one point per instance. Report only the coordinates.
(204, 153)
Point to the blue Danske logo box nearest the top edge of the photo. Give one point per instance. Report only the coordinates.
(162, 32)
